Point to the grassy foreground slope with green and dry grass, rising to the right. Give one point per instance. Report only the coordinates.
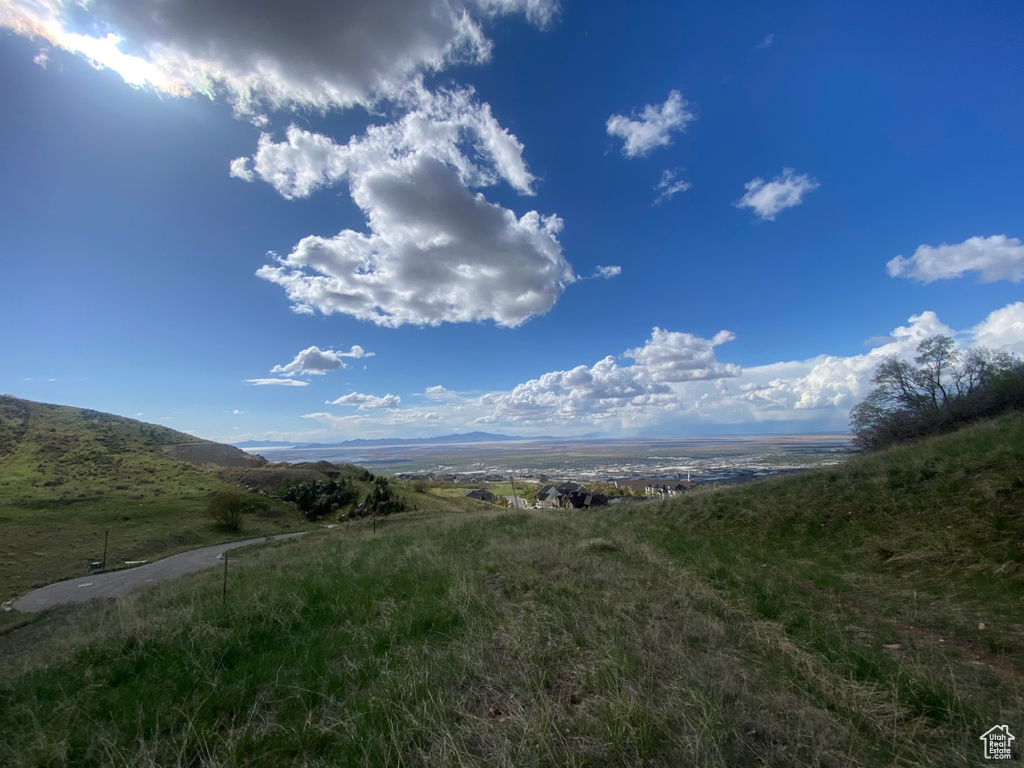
(833, 619)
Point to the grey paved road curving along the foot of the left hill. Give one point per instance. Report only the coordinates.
(117, 583)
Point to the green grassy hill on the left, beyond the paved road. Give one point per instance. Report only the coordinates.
(68, 476)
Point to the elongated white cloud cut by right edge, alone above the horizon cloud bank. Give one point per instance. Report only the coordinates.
(995, 259)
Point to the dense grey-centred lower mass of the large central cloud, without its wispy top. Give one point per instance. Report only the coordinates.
(436, 253)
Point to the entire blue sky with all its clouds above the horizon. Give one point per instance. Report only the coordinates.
(506, 216)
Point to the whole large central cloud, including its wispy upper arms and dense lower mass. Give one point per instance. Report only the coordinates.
(436, 252)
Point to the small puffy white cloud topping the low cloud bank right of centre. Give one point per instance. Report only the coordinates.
(678, 357)
